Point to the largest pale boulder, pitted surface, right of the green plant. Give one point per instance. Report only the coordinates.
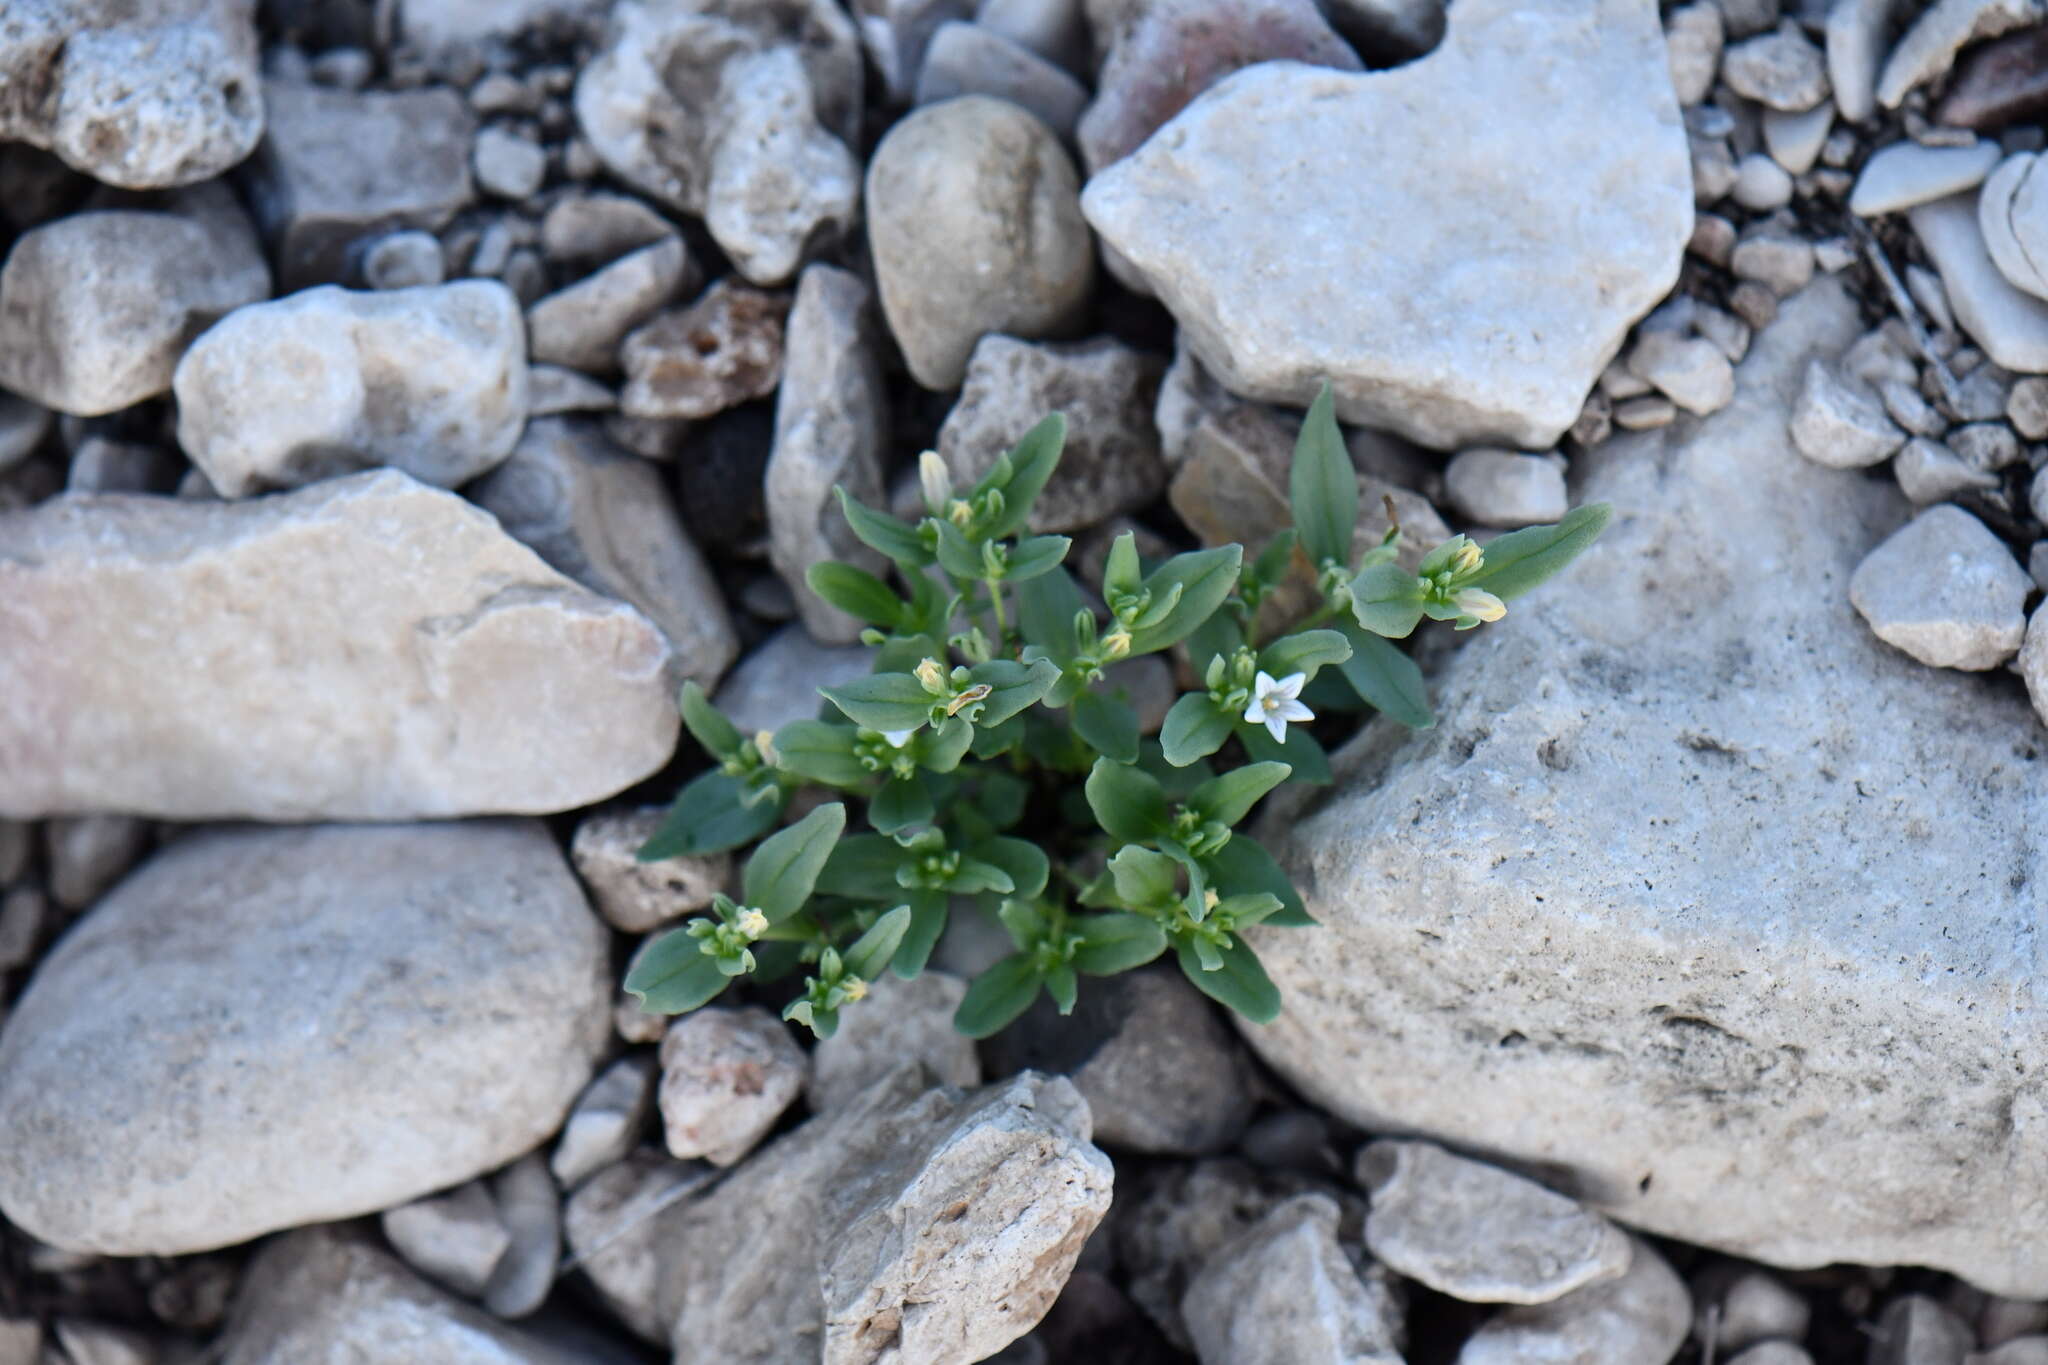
(1701, 901)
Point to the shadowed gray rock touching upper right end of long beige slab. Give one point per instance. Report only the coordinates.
(607, 521)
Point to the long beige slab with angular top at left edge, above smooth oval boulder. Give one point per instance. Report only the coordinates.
(361, 650)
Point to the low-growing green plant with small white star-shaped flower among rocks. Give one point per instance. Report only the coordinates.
(1000, 764)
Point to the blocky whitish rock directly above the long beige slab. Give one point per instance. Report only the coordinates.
(329, 382)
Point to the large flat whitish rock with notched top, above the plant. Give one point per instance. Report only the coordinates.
(1457, 245)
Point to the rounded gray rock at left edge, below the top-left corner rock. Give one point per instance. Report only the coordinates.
(97, 308)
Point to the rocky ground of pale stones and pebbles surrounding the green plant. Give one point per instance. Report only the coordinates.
(400, 400)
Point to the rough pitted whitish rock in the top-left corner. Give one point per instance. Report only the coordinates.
(136, 93)
